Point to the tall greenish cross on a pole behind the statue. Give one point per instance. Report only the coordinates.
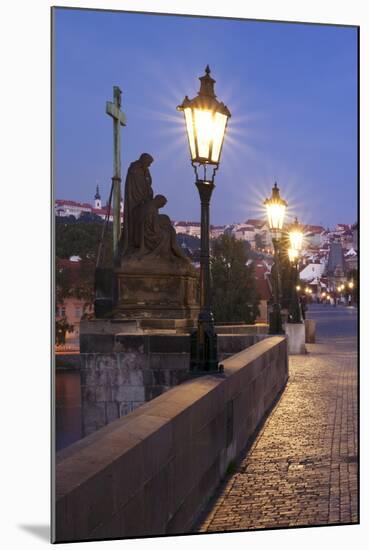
(119, 119)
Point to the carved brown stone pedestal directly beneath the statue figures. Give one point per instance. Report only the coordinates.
(156, 296)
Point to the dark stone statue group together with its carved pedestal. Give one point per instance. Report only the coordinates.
(154, 279)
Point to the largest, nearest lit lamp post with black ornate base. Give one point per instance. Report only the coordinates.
(206, 121)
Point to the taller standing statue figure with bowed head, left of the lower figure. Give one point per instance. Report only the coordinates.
(137, 191)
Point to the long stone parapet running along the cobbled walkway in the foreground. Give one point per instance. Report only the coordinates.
(152, 471)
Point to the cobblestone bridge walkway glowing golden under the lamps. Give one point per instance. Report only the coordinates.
(302, 467)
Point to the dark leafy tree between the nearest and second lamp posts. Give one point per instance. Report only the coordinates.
(234, 295)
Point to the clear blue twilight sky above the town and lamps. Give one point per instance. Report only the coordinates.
(291, 89)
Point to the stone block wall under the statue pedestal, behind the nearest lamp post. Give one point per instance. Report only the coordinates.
(120, 372)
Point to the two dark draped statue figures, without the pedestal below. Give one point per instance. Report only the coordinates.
(146, 233)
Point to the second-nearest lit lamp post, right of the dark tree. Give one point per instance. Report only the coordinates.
(276, 207)
